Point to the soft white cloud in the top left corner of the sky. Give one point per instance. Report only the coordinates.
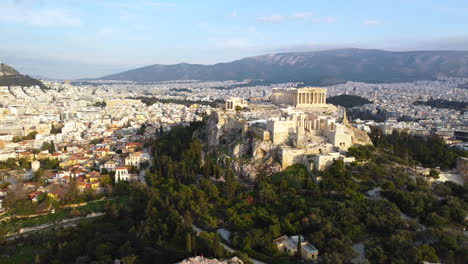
(32, 15)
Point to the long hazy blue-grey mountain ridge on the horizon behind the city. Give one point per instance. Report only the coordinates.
(315, 68)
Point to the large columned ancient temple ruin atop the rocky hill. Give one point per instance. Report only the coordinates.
(300, 97)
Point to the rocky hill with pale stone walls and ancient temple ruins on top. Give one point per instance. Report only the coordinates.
(296, 126)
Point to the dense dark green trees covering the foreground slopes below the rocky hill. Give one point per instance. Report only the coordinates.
(333, 214)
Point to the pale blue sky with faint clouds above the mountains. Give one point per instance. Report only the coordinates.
(72, 39)
